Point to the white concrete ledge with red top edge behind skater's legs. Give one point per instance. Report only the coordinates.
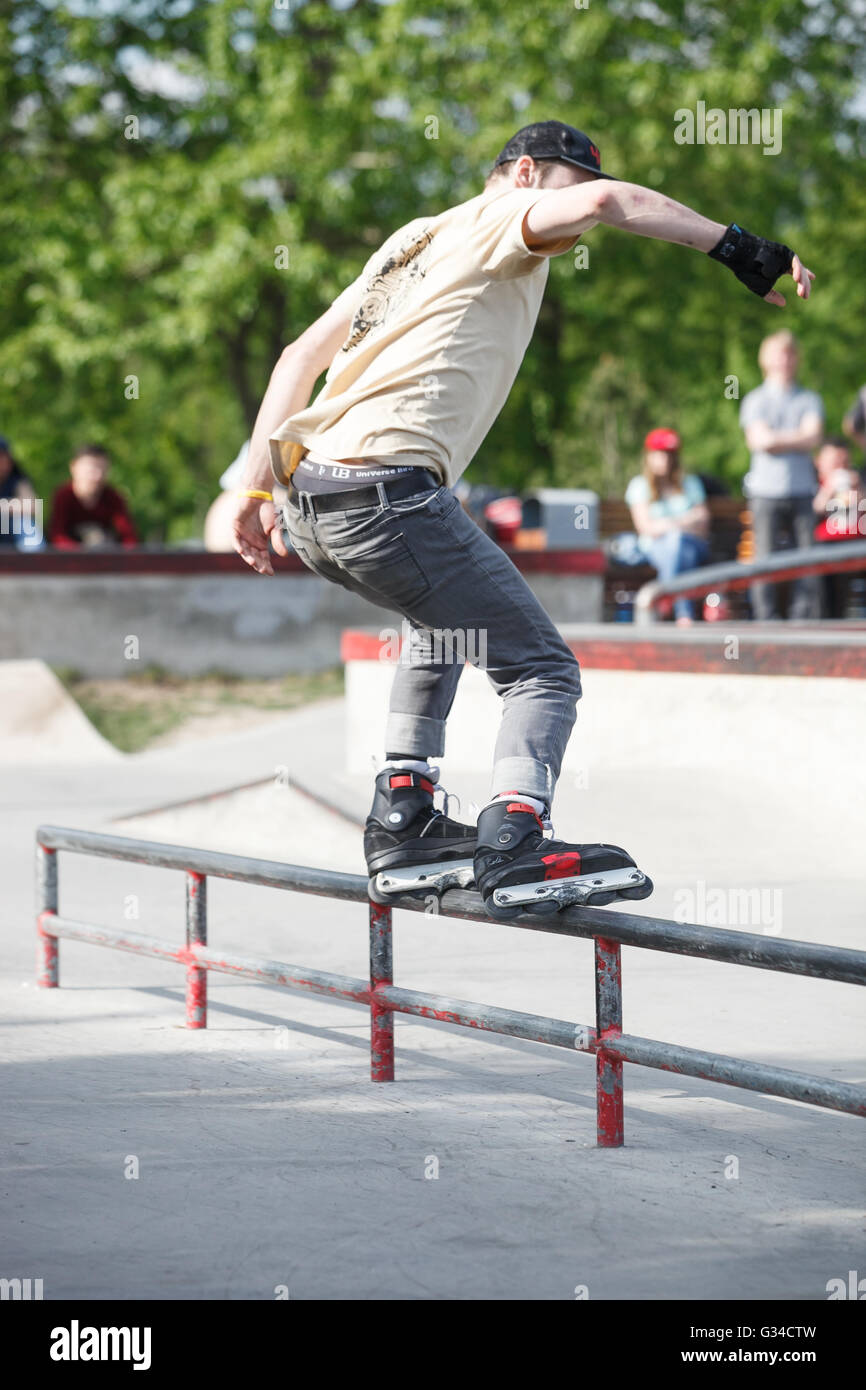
(732, 698)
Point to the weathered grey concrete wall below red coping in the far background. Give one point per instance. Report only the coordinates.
(197, 623)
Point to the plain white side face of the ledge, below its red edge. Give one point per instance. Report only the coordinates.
(801, 735)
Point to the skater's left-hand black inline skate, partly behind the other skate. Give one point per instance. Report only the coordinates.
(411, 847)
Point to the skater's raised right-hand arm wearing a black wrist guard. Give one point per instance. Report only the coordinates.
(568, 212)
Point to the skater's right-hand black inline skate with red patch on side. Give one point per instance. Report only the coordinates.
(519, 871)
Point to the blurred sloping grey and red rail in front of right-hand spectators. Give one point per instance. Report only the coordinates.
(832, 558)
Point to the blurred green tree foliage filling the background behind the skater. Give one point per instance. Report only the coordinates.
(156, 155)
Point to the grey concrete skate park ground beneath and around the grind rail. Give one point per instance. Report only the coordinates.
(268, 1160)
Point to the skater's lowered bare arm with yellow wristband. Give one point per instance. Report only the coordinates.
(290, 390)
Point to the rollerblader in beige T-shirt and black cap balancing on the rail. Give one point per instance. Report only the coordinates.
(420, 354)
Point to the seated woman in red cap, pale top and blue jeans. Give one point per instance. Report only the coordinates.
(671, 515)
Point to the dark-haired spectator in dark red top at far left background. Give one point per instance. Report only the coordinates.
(87, 512)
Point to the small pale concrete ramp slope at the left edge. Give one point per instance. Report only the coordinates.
(42, 723)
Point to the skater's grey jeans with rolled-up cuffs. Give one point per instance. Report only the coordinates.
(464, 601)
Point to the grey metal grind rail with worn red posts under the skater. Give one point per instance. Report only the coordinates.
(610, 932)
